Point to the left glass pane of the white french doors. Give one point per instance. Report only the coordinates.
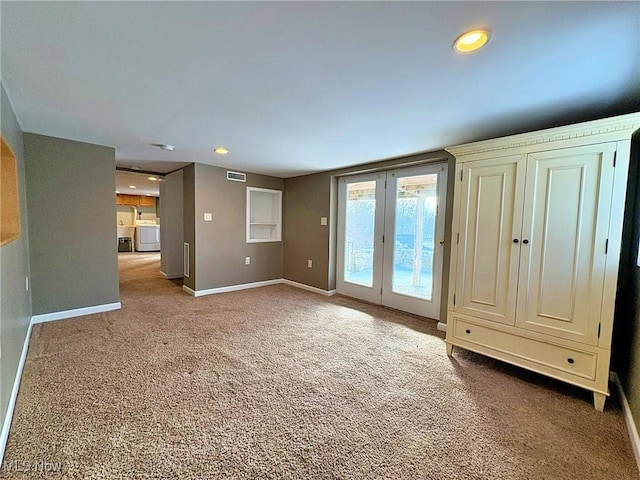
(360, 216)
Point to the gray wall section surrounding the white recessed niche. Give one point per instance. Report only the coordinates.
(220, 245)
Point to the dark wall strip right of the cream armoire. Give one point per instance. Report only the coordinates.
(626, 340)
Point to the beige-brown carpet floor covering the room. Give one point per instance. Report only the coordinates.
(281, 383)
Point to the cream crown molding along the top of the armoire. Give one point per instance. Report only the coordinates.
(618, 128)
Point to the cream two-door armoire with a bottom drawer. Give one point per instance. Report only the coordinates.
(536, 236)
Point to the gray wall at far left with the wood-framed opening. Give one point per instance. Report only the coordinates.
(15, 300)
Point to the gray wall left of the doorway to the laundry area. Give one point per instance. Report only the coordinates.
(72, 223)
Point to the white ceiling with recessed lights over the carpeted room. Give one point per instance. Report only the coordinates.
(297, 87)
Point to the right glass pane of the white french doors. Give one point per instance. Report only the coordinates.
(416, 205)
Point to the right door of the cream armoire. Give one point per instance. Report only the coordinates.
(567, 206)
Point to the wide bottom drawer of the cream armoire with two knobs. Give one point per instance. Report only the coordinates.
(576, 362)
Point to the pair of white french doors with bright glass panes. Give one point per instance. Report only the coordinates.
(391, 236)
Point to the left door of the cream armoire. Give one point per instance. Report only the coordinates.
(491, 216)
